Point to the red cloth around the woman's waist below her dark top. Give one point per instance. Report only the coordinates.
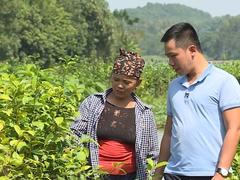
(116, 158)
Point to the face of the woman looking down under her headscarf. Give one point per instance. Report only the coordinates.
(123, 85)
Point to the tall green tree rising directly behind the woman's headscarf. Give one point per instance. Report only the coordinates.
(95, 25)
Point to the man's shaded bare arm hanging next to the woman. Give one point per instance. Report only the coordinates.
(165, 147)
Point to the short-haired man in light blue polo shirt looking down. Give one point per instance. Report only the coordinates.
(203, 112)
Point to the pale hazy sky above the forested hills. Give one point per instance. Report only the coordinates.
(214, 7)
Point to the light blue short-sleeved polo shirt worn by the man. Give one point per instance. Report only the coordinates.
(198, 128)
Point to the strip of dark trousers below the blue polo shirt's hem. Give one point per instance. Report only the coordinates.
(178, 177)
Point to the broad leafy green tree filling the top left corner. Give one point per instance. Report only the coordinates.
(37, 28)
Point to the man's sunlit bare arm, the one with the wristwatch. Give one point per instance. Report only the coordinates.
(232, 123)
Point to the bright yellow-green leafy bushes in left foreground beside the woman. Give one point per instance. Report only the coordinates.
(36, 109)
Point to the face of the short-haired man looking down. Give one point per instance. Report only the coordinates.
(179, 58)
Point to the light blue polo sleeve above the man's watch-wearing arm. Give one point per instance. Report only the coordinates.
(229, 96)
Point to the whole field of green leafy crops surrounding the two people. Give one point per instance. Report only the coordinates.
(38, 105)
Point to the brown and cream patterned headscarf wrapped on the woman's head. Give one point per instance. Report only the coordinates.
(129, 64)
